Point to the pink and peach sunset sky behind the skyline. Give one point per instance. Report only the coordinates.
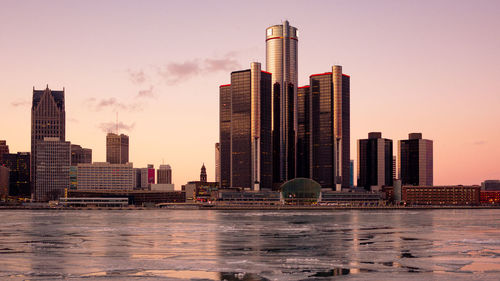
(415, 66)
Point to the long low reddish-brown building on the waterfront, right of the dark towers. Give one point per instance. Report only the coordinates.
(441, 195)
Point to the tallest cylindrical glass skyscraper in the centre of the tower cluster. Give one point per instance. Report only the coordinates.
(281, 61)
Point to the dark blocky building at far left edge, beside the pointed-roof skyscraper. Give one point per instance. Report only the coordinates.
(19, 175)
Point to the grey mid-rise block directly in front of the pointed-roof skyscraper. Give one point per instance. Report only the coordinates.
(53, 159)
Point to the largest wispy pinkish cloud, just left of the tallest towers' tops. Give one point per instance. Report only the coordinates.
(174, 72)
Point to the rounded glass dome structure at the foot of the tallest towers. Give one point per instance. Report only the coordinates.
(301, 191)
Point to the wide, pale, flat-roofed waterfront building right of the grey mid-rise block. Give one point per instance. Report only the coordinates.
(105, 176)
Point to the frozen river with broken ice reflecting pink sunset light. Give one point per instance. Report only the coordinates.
(249, 245)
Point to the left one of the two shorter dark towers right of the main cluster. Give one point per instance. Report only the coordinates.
(374, 162)
